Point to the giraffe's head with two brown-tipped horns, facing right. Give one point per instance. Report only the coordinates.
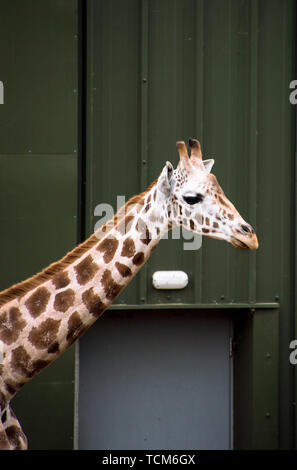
(197, 202)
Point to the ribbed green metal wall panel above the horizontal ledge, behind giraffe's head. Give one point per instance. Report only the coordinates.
(215, 82)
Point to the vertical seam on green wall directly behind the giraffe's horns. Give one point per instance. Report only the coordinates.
(199, 112)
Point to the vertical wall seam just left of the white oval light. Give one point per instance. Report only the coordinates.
(144, 83)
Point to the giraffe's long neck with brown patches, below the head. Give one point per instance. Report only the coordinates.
(40, 325)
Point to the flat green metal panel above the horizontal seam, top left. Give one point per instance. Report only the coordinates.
(38, 79)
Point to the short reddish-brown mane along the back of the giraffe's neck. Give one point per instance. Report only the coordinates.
(21, 288)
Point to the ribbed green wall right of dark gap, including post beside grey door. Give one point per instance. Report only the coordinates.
(159, 71)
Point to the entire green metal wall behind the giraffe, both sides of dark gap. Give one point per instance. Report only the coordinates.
(157, 71)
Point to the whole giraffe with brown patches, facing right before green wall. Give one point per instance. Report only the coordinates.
(42, 316)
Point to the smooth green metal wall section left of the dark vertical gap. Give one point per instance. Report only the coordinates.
(38, 181)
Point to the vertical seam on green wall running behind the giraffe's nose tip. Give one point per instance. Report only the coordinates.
(253, 139)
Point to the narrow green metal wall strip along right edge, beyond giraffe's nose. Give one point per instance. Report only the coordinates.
(275, 164)
